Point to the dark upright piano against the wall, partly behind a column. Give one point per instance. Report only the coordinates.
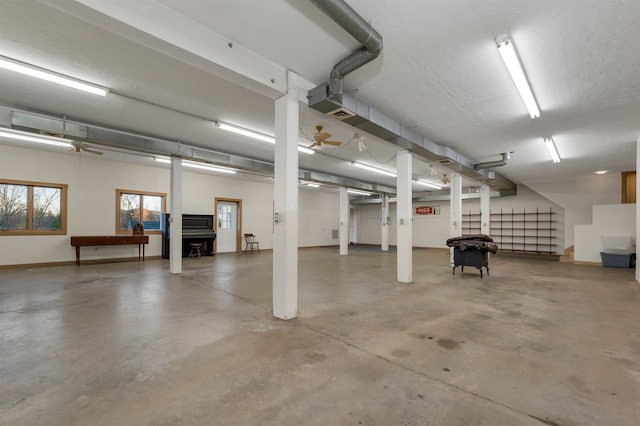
(196, 228)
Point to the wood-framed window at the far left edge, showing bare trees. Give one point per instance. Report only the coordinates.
(32, 208)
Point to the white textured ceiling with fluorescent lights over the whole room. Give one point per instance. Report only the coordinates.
(439, 72)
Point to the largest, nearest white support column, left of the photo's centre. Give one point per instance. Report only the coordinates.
(285, 230)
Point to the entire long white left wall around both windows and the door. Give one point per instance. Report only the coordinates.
(91, 204)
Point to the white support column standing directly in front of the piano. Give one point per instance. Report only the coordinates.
(175, 205)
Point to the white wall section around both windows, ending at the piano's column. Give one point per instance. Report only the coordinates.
(91, 203)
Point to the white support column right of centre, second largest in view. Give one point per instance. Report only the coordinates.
(405, 217)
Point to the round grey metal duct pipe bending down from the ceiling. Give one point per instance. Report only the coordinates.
(361, 30)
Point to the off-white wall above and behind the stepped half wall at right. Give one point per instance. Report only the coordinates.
(578, 195)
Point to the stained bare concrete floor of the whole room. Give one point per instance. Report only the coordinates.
(535, 343)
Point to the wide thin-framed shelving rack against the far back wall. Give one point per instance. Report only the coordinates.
(531, 232)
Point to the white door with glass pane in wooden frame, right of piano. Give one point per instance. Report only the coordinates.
(228, 225)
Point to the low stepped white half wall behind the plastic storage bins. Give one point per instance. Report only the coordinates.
(616, 220)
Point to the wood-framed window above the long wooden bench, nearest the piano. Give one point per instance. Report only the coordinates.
(139, 207)
